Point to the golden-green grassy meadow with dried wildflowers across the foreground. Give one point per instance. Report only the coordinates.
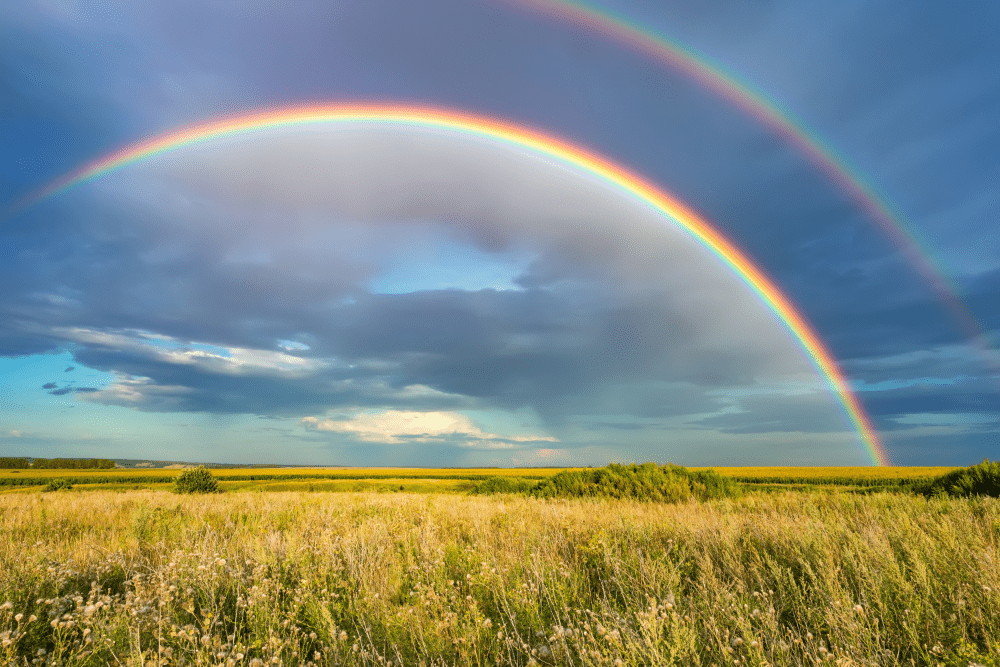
(828, 576)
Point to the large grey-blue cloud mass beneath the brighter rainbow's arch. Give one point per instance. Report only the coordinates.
(239, 271)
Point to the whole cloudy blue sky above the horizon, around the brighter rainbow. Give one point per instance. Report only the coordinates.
(360, 293)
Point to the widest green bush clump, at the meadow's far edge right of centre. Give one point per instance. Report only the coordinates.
(648, 481)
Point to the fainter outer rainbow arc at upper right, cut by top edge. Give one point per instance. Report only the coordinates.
(782, 122)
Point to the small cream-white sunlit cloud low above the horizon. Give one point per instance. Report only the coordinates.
(403, 426)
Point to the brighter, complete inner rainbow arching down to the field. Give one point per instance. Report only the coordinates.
(523, 139)
